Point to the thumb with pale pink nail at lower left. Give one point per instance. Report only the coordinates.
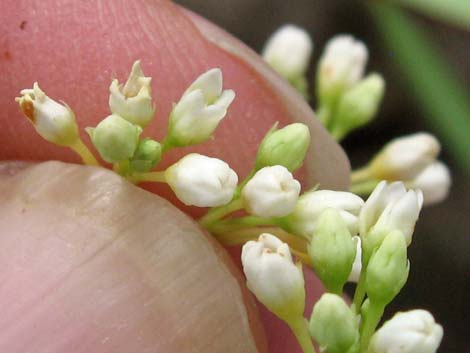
(91, 263)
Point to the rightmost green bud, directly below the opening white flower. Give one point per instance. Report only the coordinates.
(388, 269)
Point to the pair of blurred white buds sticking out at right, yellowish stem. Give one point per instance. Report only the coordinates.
(413, 160)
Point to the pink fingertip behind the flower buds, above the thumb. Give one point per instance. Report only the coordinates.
(74, 49)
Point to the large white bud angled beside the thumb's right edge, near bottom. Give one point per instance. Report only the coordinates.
(273, 277)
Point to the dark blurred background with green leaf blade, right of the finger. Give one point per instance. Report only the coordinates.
(422, 47)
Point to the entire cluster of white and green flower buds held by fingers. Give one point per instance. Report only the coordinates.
(338, 234)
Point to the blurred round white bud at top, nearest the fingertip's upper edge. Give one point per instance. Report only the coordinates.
(288, 51)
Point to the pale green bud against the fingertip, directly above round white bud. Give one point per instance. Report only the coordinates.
(286, 147)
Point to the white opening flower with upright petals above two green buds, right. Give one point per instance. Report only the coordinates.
(390, 207)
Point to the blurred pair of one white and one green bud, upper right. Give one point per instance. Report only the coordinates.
(346, 99)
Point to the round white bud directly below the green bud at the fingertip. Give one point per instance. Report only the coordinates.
(272, 192)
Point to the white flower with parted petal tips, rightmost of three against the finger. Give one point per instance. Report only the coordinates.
(201, 108)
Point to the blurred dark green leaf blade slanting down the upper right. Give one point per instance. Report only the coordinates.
(432, 82)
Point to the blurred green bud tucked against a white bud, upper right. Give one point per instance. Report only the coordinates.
(359, 105)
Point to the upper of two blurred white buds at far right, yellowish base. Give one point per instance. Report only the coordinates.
(405, 157)
